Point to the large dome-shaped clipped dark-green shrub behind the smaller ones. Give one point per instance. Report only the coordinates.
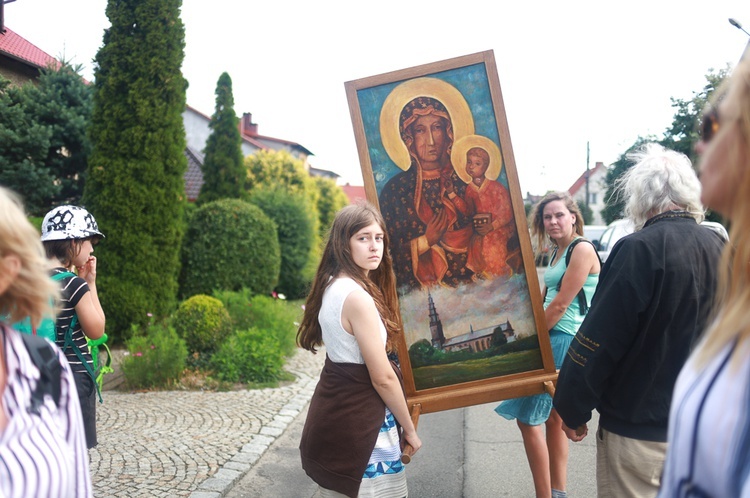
(229, 244)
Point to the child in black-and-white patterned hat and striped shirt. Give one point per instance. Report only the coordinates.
(69, 234)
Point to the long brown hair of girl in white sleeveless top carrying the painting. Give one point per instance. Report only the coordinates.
(337, 259)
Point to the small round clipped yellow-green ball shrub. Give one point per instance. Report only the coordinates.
(203, 322)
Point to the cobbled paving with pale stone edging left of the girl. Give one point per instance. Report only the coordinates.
(195, 444)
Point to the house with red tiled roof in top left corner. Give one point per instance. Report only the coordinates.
(20, 60)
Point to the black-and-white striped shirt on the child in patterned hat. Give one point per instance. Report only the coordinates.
(72, 289)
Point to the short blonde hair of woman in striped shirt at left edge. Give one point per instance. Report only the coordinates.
(32, 292)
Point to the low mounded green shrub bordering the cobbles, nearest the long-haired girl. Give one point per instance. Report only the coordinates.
(248, 356)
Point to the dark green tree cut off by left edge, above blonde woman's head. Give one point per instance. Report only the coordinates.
(23, 145)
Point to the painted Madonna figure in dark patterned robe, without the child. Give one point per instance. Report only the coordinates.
(430, 235)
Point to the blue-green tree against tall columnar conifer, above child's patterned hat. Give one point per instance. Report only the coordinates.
(61, 102)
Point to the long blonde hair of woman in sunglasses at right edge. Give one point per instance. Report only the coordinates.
(732, 314)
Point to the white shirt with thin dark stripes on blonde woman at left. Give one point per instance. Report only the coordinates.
(40, 455)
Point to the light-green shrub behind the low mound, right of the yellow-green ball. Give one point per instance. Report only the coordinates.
(275, 317)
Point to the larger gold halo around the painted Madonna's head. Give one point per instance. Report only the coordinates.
(447, 94)
